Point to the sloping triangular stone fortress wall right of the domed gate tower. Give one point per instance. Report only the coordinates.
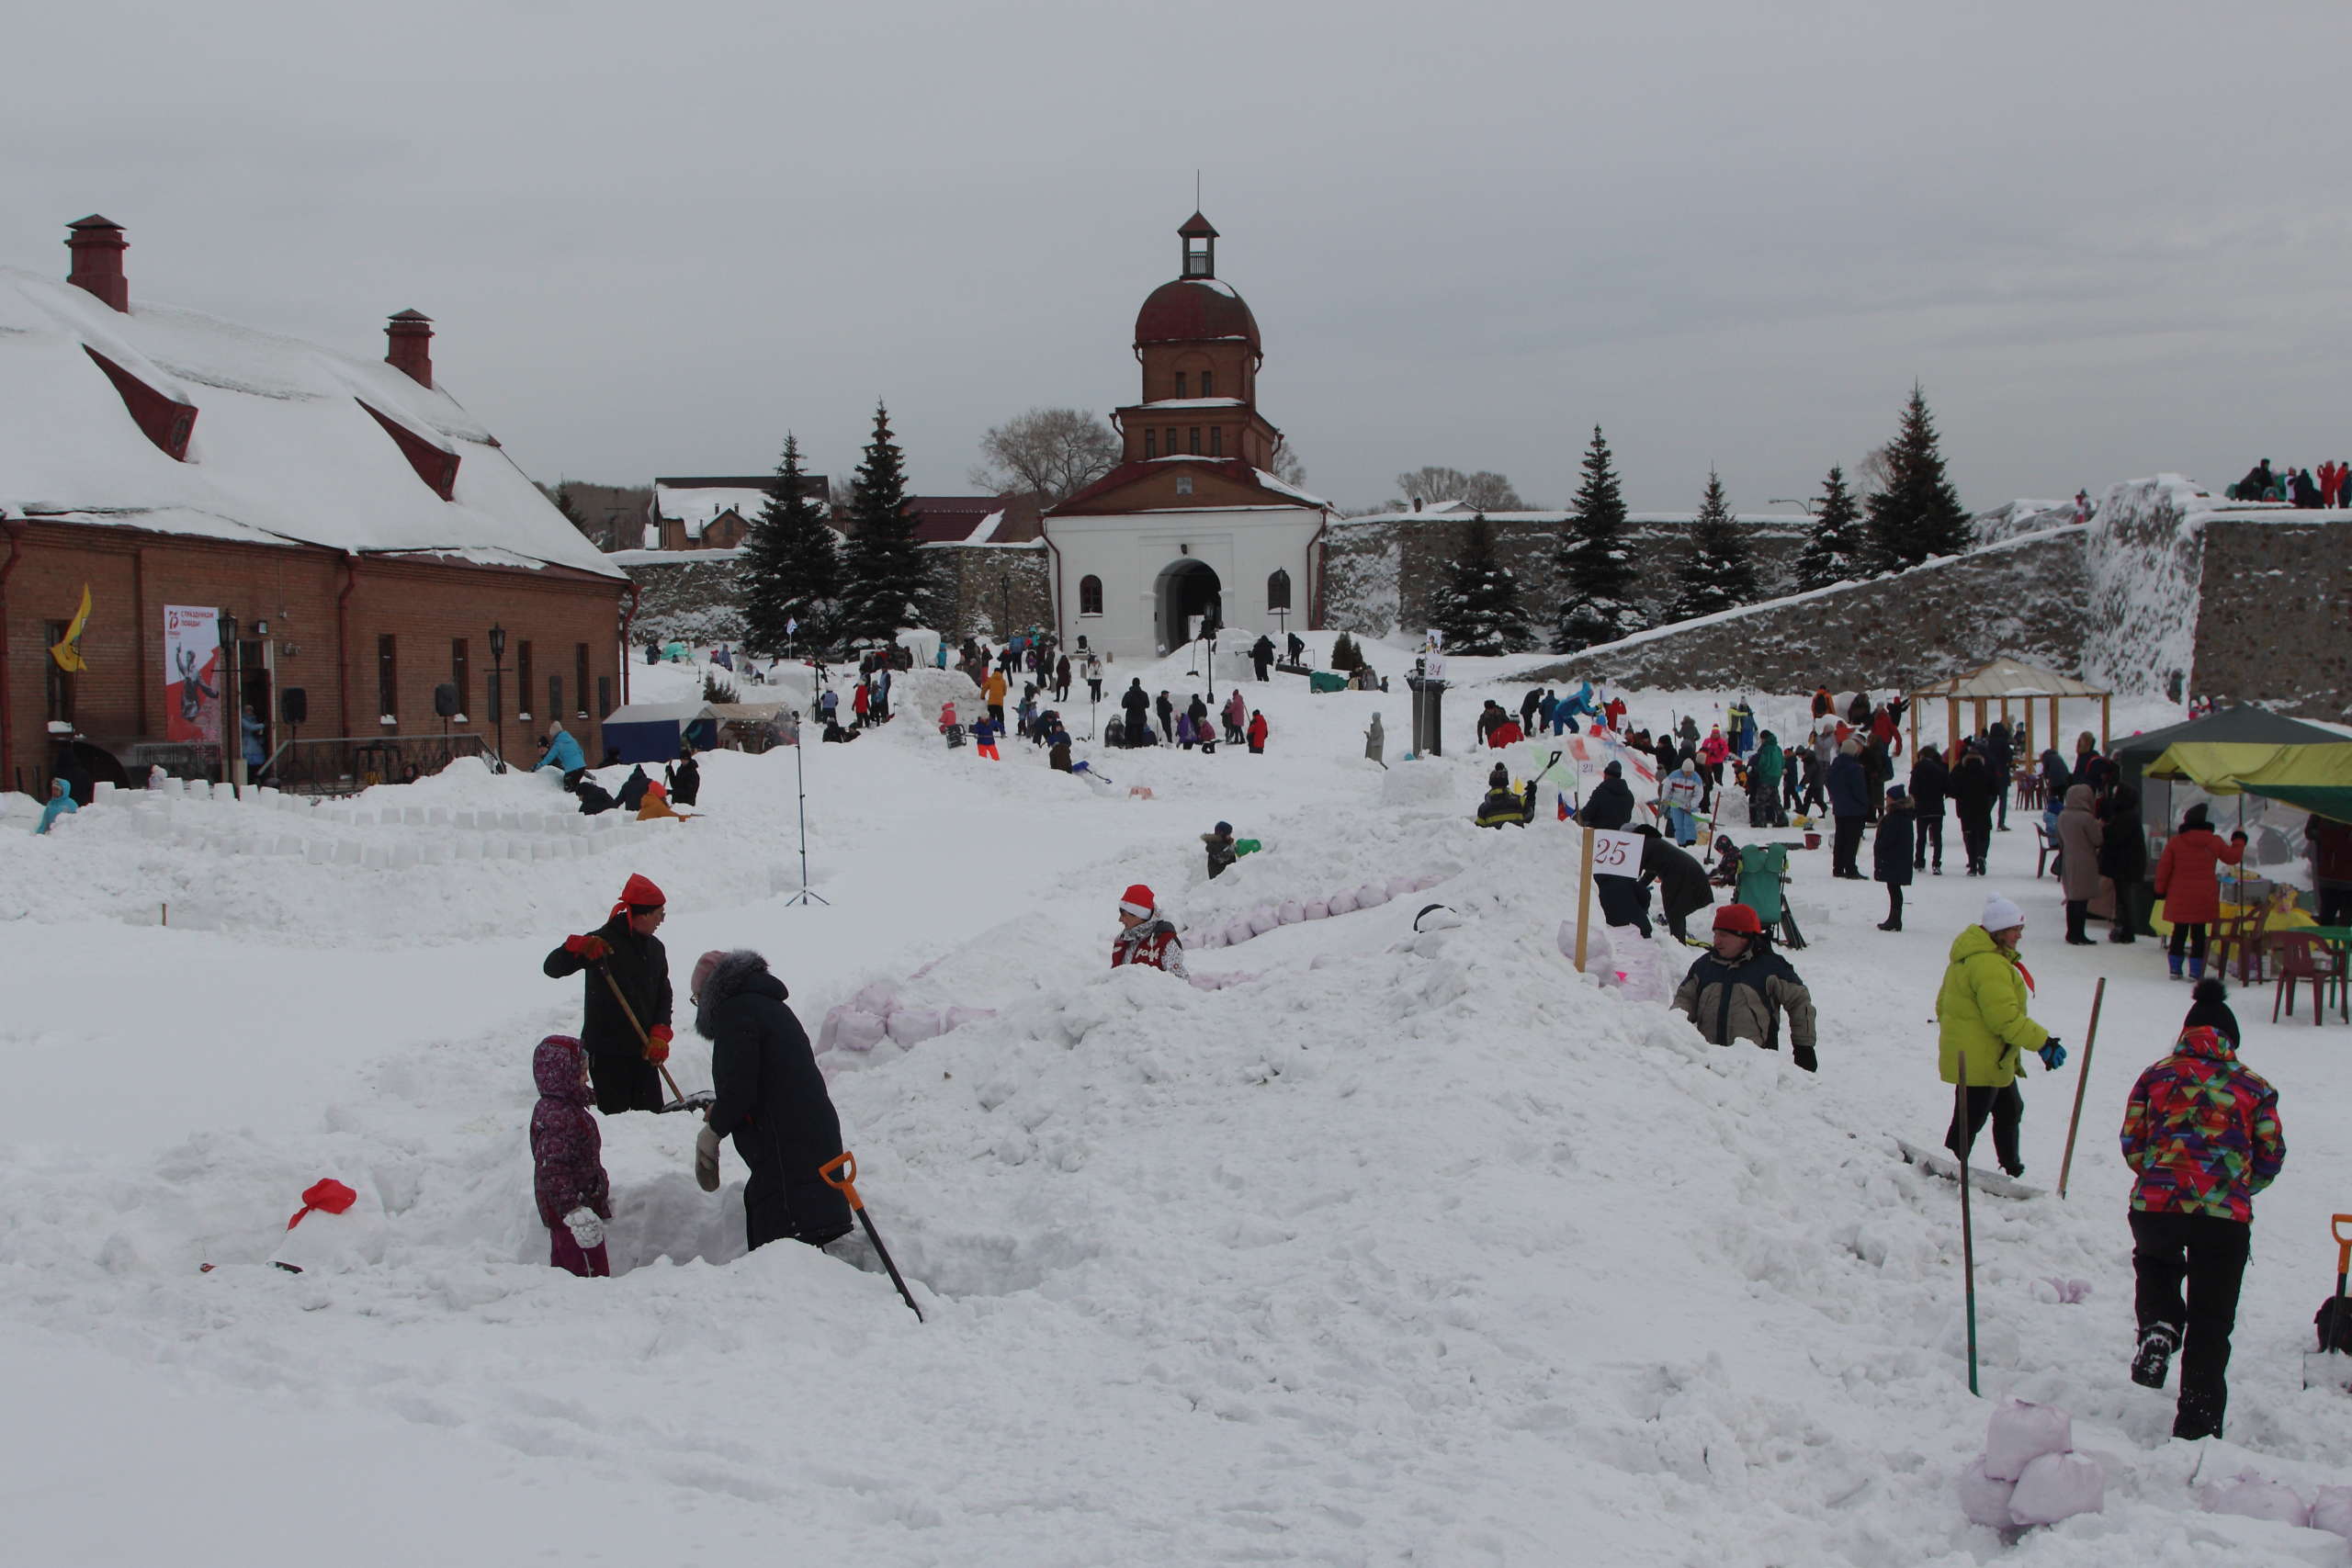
(2022, 598)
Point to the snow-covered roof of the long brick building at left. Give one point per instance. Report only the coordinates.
(286, 443)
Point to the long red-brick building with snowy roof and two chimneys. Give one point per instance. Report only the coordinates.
(363, 535)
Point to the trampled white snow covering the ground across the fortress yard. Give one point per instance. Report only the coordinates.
(1387, 1252)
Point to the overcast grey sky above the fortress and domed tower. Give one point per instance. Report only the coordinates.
(2109, 239)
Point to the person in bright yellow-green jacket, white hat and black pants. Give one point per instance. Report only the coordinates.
(1984, 1033)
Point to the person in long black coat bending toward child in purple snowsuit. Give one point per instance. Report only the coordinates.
(773, 1101)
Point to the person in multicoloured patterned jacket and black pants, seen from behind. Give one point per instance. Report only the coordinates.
(2203, 1132)
